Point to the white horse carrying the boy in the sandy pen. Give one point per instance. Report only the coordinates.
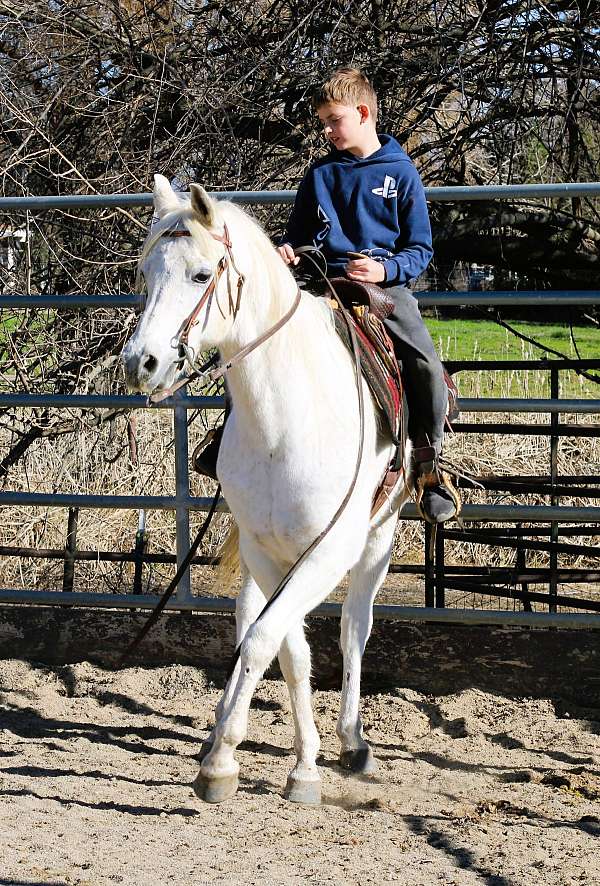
(287, 458)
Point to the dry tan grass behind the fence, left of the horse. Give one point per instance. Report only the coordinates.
(96, 461)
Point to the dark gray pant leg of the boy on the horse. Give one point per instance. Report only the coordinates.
(422, 371)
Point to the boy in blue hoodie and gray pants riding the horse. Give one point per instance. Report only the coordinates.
(363, 206)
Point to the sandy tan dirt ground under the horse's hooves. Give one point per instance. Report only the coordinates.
(96, 769)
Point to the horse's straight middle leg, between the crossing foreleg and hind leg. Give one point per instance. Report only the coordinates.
(304, 781)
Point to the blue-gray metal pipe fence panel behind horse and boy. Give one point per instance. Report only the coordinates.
(182, 502)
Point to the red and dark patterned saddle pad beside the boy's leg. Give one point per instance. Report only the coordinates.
(378, 362)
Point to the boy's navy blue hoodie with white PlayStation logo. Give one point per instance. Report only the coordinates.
(375, 205)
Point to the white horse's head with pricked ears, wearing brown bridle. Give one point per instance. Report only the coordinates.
(194, 278)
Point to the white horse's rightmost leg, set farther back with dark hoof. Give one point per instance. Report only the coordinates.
(357, 618)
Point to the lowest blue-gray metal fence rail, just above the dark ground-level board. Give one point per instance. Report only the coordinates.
(416, 614)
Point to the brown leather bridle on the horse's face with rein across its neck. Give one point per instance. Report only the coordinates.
(181, 340)
